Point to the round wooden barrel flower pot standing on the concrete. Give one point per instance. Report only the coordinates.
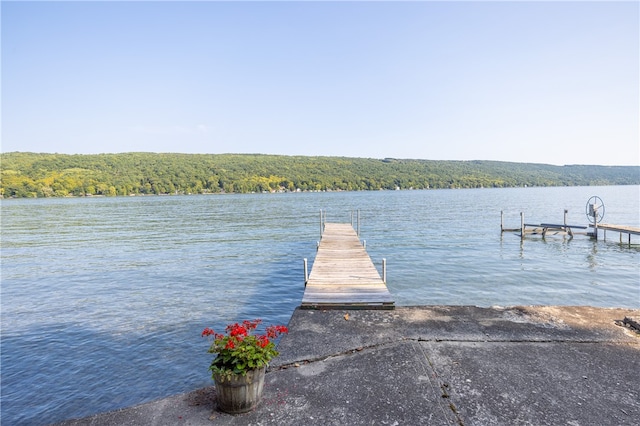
(239, 394)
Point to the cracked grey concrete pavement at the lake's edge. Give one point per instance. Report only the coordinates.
(434, 365)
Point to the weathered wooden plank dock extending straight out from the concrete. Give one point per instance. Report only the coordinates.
(343, 276)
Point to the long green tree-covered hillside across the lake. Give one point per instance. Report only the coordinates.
(61, 175)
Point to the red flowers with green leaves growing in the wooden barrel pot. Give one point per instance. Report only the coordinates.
(241, 349)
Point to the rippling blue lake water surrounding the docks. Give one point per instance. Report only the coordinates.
(103, 299)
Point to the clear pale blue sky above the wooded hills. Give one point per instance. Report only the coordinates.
(543, 82)
